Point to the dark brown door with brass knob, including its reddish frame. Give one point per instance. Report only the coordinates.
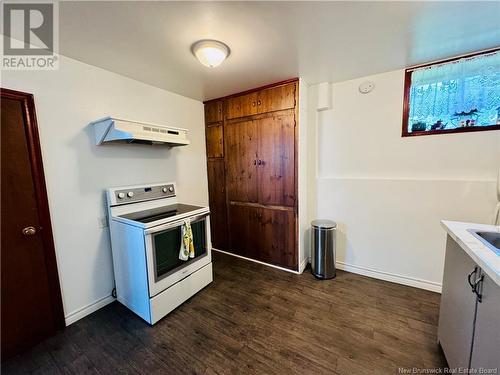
(31, 299)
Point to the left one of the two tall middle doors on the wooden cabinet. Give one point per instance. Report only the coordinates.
(241, 158)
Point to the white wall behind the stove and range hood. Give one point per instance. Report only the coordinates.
(77, 171)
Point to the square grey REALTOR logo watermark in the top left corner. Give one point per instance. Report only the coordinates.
(30, 35)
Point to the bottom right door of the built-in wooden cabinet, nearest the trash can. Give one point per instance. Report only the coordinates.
(276, 236)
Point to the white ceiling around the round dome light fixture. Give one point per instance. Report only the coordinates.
(270, 41)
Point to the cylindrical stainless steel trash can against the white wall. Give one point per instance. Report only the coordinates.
(323, 233)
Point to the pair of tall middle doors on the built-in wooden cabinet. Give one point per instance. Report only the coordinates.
(261, 160)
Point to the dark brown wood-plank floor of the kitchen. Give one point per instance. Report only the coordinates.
(255, 319)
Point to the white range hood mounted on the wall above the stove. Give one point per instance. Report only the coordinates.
(112, 129)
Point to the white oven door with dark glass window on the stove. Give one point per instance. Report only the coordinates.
(162, 252)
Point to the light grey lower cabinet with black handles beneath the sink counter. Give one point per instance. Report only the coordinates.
(469, 316)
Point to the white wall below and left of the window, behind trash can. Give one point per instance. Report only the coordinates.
(389, 193)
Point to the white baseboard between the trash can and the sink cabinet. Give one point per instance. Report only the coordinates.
(387, 276)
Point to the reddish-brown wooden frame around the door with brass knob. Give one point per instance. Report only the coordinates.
(35, 158)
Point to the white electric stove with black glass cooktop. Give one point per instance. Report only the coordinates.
(145, 225)
